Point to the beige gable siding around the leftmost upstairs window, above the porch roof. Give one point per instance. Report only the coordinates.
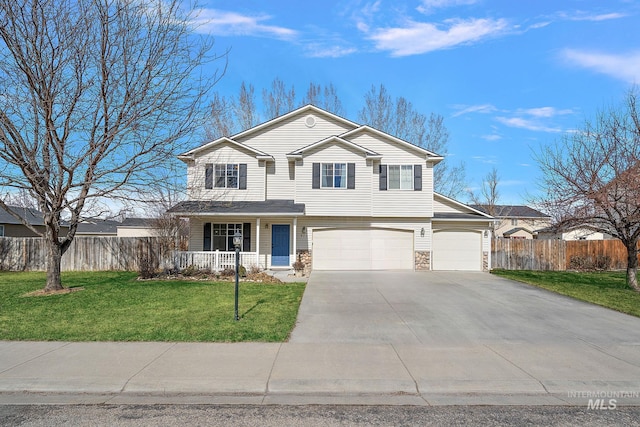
(221, 154)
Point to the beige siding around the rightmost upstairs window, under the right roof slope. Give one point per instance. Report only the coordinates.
(397, 202)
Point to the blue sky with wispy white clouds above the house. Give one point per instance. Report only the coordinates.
(507, 75)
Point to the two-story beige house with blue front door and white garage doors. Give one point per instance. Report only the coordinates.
(333, 194)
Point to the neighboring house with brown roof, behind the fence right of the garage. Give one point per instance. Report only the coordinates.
(516, 221)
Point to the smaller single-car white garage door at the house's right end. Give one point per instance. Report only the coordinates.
(457, 250)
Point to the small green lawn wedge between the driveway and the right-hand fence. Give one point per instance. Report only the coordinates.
(607, 289)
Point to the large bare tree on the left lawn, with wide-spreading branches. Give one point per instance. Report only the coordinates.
(96, 96)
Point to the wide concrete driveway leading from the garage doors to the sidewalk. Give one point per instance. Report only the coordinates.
(450, 309)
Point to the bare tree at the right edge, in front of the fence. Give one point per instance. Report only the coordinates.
(592, 177)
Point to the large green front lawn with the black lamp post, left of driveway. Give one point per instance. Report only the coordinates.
(114, 306)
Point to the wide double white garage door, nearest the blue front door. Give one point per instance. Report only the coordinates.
(362, 249)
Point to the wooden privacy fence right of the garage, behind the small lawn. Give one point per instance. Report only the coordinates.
(527, 254)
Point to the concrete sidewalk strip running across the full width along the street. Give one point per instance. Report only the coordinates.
(338, 373)
